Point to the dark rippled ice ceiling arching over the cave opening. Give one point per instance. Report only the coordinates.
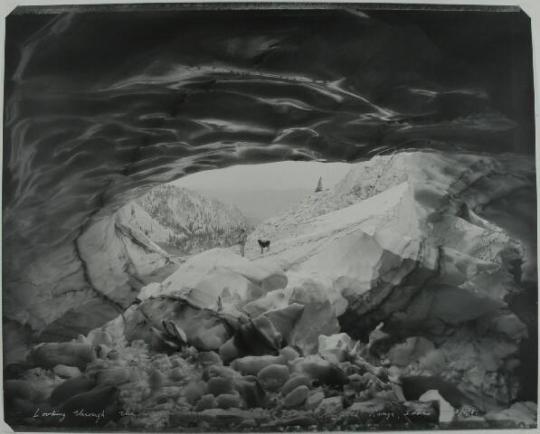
(103, 104)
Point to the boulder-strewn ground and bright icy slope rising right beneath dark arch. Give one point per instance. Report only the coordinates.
(388, 302)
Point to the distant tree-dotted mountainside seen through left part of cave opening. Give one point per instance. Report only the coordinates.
(184, 221)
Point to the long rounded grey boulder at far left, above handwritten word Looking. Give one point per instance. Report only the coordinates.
(49, 355)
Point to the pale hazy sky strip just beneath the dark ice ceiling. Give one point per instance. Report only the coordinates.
(286, 175)
